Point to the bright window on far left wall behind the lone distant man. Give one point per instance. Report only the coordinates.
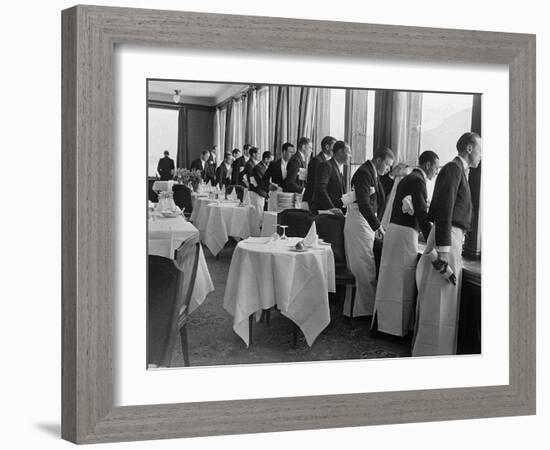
(163, 135)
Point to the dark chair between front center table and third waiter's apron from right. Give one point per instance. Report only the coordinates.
(330, 228)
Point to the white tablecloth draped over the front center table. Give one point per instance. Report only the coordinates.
(262, 275)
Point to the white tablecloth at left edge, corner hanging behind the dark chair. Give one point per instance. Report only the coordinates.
(164, 236)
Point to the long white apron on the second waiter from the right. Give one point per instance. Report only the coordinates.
(396, 288)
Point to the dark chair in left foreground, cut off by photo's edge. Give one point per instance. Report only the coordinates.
(170, 290)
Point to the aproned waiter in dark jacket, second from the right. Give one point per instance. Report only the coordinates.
(396, 288)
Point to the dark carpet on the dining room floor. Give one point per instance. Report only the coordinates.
(213, 342)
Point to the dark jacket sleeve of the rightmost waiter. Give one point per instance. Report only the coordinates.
(442, 206)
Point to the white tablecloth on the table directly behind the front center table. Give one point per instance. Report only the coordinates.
(223, 220)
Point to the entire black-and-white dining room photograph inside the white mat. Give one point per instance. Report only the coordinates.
(252, 256)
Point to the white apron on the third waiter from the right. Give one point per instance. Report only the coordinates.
(359, 243)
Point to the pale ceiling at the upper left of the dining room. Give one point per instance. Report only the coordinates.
(212, 93)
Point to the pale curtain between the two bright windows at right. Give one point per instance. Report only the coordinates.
(397, 124)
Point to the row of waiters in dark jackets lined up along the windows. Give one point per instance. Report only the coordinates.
(409, 294)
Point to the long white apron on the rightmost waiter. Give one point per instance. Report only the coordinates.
(438, 301)
